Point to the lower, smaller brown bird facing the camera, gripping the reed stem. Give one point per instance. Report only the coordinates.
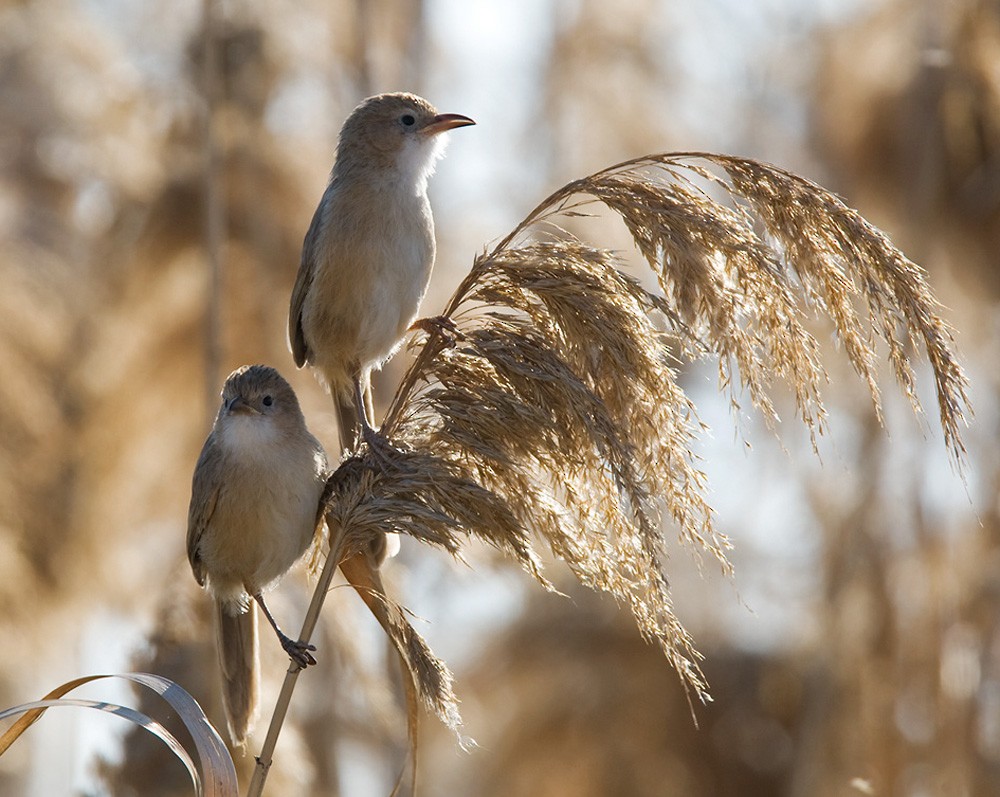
(255, 509)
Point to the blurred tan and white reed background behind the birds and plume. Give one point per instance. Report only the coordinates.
(159, 164)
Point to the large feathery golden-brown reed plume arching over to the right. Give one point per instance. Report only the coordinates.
(553, 412)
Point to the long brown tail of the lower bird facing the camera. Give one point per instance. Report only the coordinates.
(237, 638)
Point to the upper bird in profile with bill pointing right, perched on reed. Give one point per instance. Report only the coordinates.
(368, 254)
